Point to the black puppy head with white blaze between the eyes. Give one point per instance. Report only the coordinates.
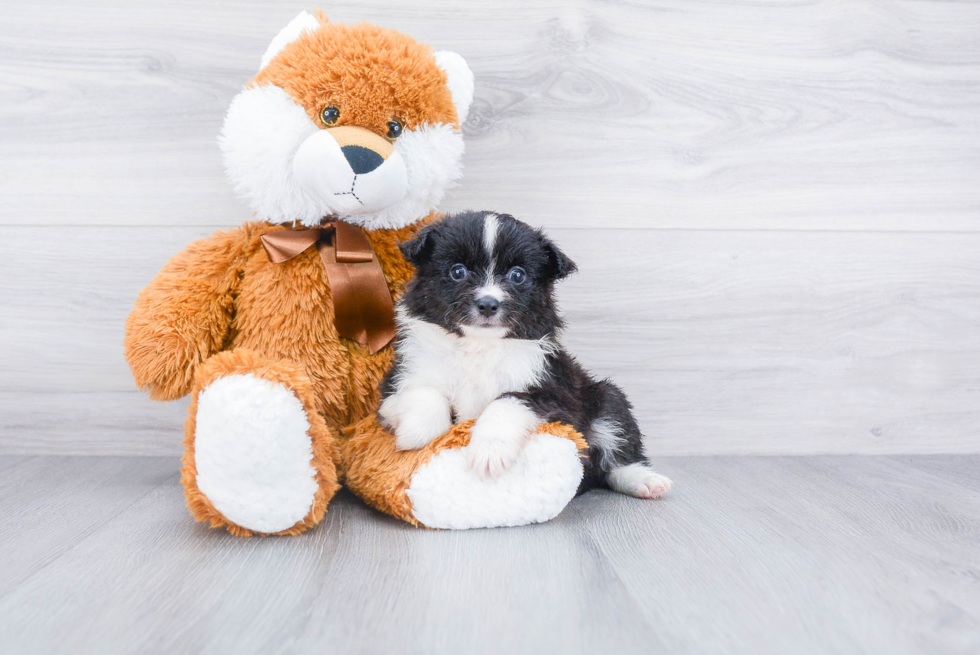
(485, 274)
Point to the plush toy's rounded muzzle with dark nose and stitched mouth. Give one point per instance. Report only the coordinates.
(352, 169)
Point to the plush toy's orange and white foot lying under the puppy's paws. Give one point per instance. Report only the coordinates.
(436, 487)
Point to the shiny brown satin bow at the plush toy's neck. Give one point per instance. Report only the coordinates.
(362, 305)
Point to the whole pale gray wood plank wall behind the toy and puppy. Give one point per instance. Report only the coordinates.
(775, 207)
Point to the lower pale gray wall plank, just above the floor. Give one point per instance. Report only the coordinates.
(727, 342)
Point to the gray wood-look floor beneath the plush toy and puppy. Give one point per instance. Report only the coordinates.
(819, 554)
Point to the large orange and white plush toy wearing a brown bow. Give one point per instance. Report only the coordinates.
(343, 145)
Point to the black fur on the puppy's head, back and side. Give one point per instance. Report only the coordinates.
(566, 391)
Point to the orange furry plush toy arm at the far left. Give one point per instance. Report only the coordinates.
(183, 316)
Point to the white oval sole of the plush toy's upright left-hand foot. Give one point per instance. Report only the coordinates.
(253, 453)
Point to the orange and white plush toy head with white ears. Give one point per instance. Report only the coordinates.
(353, 121)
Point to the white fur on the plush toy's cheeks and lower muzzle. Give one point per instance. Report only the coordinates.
(262, 137)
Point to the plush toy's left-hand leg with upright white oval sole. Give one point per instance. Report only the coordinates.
(259, 459)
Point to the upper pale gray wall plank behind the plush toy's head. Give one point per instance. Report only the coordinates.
(675, 113)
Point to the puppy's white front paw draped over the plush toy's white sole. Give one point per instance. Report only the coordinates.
(498, 437)
